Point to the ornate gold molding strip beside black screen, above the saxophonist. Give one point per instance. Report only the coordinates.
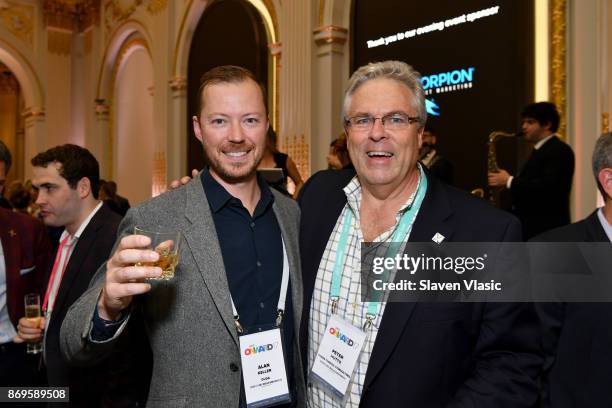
(557, 61)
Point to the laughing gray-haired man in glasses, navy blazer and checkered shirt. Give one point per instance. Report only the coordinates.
(416, 354)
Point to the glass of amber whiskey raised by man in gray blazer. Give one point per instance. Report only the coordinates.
(166, 244)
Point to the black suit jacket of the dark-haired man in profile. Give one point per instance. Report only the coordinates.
(102, 384)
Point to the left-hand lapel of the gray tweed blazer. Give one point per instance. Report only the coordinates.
(201, 237)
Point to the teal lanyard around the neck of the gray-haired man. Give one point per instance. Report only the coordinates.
(406, 220)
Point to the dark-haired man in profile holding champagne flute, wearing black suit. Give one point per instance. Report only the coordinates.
(66, 178)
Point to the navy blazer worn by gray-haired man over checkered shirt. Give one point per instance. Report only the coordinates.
(434, 354)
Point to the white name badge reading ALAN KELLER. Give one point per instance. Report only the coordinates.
(263, 369)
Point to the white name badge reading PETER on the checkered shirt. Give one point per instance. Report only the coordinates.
(338, 355)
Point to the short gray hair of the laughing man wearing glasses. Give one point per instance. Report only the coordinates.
(397, 70)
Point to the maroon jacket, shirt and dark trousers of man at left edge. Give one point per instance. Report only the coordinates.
(25, 254)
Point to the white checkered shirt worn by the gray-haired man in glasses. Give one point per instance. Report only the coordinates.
(350, 306)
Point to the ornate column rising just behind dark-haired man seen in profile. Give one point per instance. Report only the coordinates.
(101, 141)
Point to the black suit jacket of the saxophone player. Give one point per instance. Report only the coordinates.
(541, 189)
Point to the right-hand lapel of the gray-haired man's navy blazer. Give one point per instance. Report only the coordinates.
(430, 220)
